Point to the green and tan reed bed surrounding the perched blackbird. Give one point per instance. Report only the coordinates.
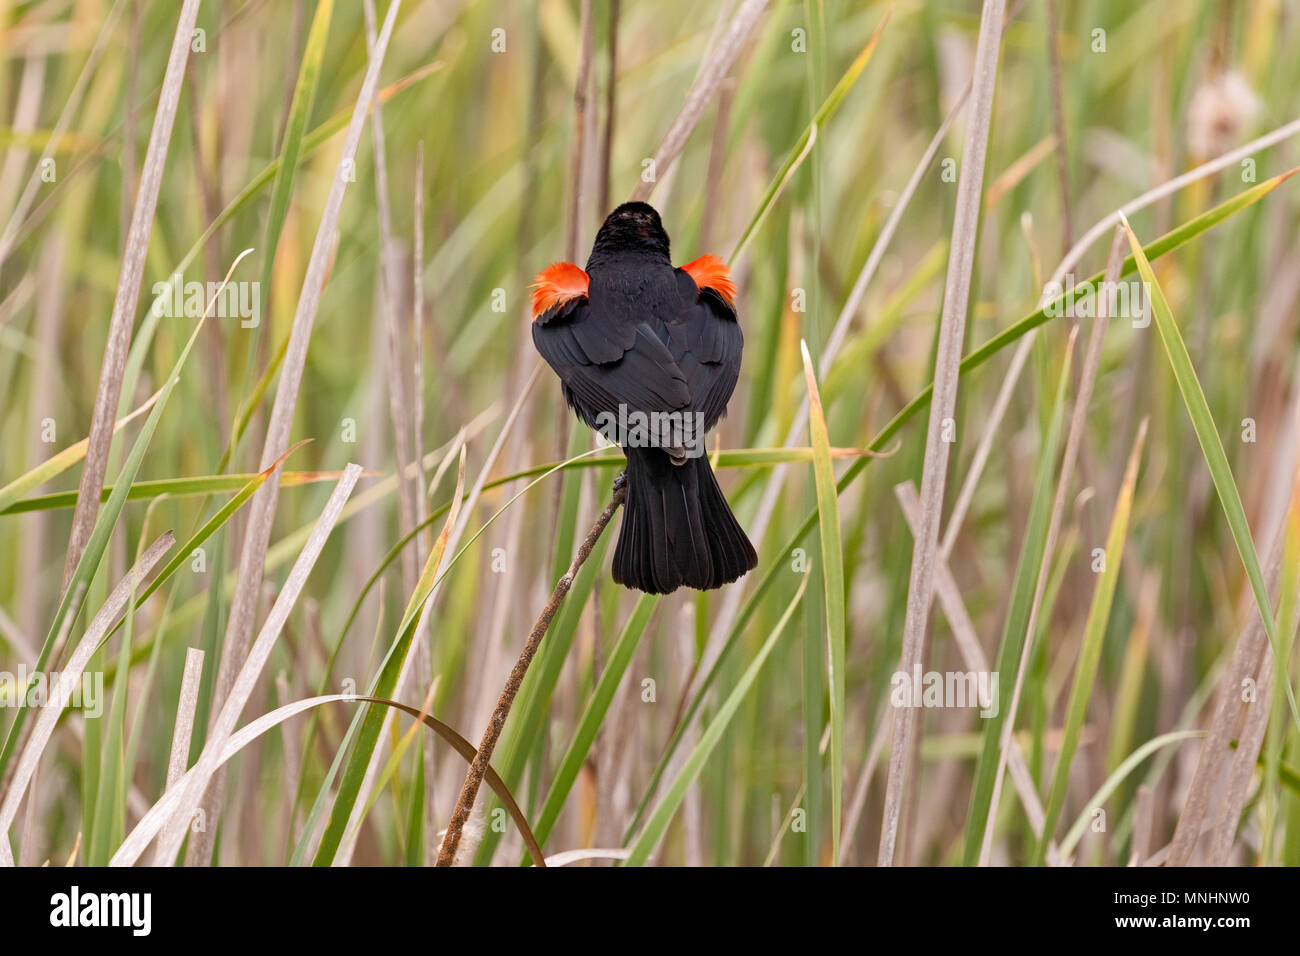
(346, 481)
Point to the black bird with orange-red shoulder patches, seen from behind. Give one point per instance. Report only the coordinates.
(648, 354)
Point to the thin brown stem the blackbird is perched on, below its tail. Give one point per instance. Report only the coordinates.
(475, 778)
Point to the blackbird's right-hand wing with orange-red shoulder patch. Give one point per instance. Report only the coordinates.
(708, 341)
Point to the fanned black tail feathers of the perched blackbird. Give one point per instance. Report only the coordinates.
(678, 529)
